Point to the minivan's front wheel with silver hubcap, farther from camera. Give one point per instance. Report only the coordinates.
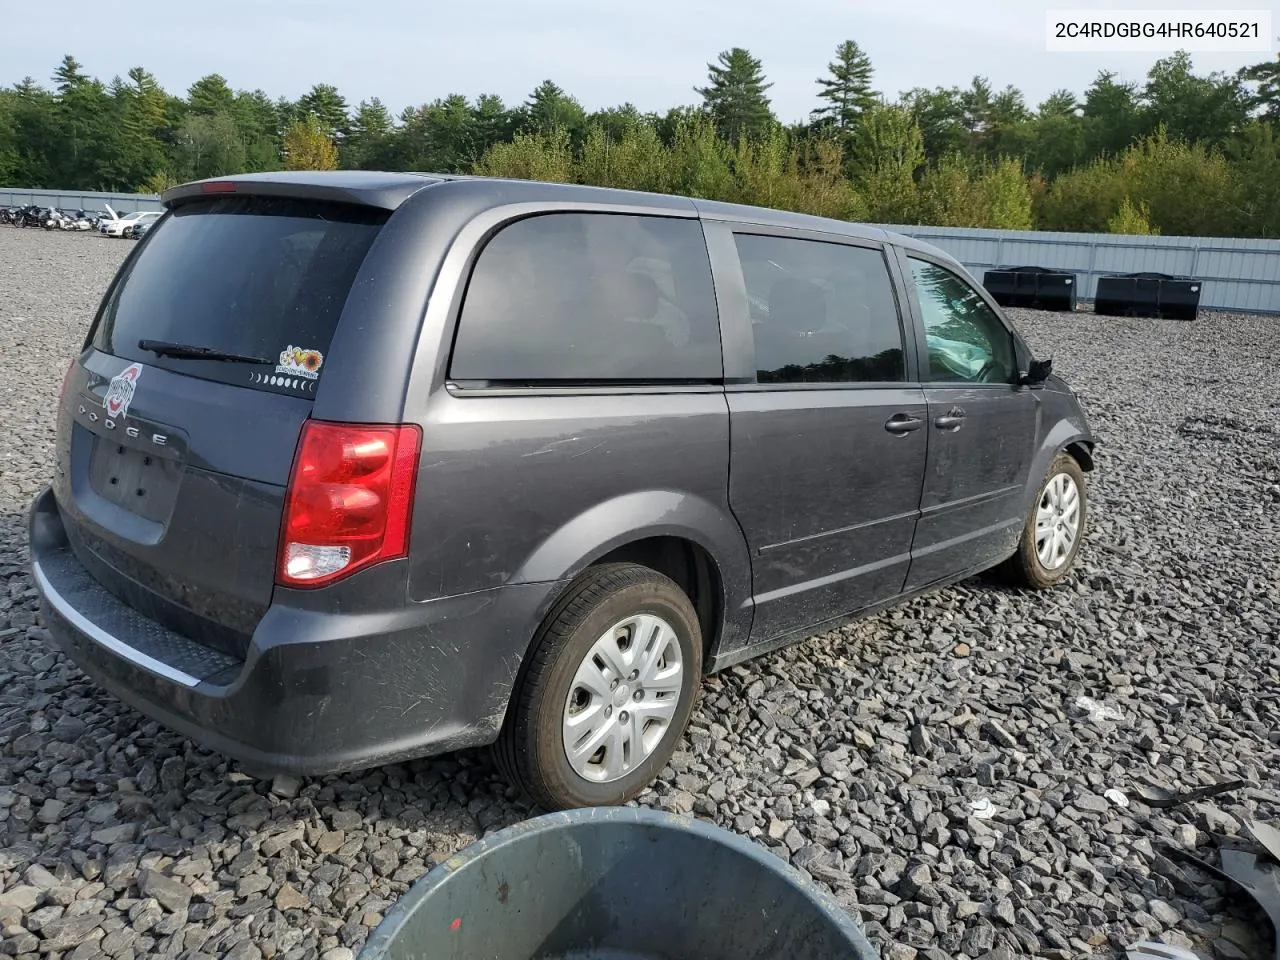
(1054, 531)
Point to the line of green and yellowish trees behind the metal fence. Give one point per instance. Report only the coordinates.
(1177, 154)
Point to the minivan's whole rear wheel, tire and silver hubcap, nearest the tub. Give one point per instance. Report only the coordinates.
(609, 689)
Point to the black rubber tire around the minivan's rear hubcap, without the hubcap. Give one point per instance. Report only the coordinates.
(531, 751)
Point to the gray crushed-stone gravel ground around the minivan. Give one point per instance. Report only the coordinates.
(858, 756)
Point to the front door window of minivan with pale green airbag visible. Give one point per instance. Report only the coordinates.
(966, 339)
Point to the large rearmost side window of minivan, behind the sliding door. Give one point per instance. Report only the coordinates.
(591, 299)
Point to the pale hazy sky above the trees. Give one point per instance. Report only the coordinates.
(602, 52)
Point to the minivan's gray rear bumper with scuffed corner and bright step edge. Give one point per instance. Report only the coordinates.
(319, 692)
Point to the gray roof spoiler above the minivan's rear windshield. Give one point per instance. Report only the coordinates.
(386, 191)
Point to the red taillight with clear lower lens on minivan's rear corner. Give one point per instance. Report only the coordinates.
(350, 501)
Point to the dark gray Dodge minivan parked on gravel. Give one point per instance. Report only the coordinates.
(358, 468)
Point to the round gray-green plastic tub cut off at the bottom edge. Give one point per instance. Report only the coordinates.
(616, 884)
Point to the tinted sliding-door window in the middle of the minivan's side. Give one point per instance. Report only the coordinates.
(821, 313)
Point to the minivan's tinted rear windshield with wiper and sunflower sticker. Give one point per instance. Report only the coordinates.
(262, 280)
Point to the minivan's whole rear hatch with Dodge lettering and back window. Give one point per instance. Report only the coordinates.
(181, 422)
